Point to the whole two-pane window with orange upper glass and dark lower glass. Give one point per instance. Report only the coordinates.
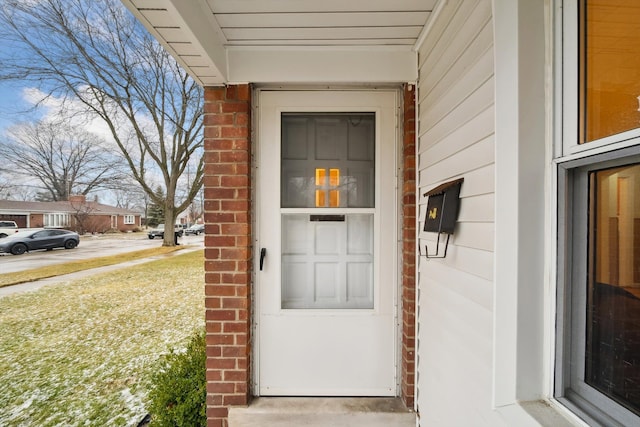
(598, 338)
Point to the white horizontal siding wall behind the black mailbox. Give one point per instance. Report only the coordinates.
(456, 140)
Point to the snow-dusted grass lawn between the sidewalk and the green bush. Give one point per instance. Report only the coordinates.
(80, 353)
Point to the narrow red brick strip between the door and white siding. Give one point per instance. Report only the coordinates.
(409, 247)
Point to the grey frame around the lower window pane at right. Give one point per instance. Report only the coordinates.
(573, 220)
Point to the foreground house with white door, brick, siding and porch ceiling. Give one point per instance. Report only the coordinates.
(328, 127)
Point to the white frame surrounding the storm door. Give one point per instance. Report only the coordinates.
(397, 231)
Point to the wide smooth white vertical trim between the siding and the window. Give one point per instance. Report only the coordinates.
(525, 236)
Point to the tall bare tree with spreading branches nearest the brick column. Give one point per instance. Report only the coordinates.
(96, 52)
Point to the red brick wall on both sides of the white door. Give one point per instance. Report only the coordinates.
(228, 249)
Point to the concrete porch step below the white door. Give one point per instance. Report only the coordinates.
(322, 411)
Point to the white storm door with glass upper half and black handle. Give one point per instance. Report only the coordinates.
(326, 289)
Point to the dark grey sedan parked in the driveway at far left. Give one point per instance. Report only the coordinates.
(34, 239)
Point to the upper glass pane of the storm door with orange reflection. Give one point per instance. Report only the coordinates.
(328, 160)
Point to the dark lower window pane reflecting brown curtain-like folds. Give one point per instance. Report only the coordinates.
(613, 298)
